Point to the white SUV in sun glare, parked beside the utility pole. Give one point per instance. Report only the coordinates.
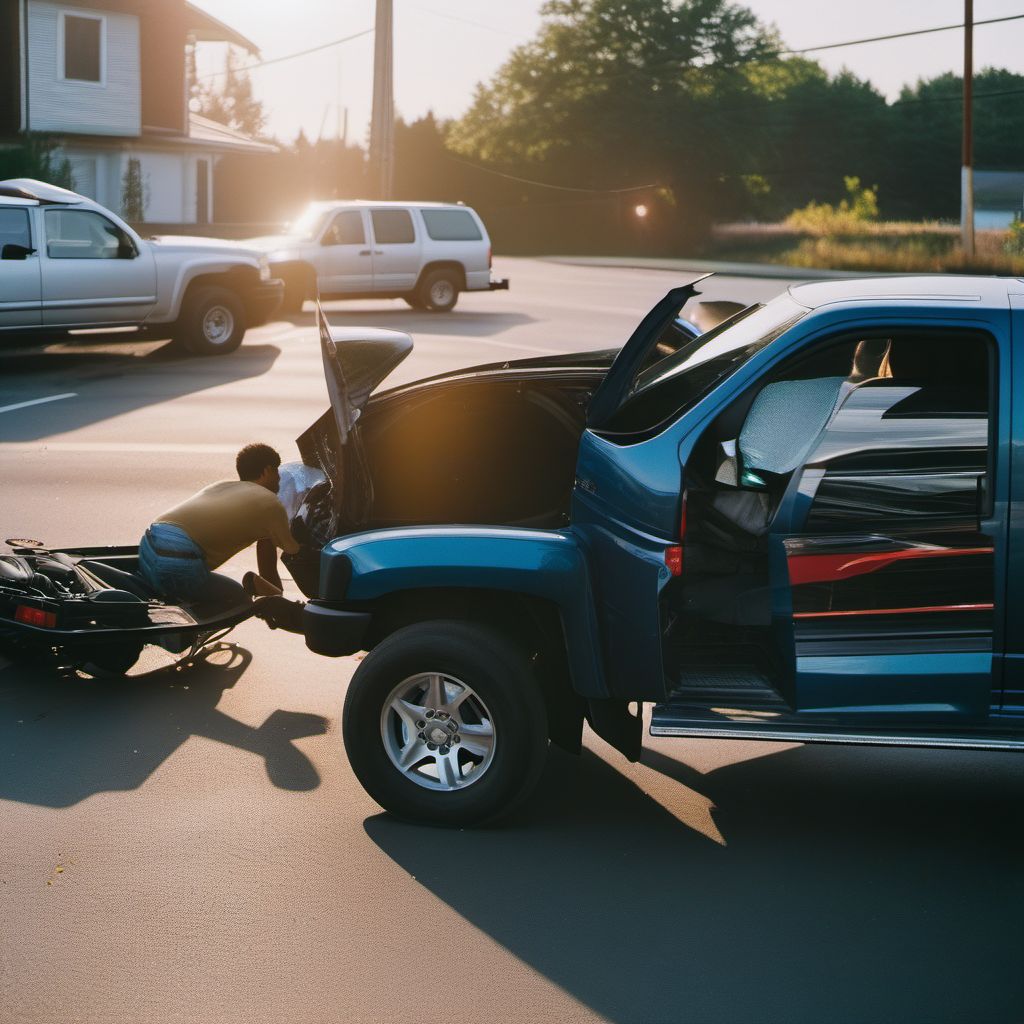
(425, 253)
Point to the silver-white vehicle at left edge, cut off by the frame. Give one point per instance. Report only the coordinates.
(68, 264)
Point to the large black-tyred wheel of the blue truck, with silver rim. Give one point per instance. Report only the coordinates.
(445, 724)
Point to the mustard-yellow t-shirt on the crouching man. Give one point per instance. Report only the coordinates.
(228, 517)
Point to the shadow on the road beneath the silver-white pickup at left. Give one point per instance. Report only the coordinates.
(162, 374)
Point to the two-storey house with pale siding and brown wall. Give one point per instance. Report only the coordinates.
(107, 79)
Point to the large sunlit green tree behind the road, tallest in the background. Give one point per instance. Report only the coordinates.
(622, 93)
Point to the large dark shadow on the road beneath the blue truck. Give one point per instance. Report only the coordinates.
(854, 886)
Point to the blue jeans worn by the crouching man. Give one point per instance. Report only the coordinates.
(172, 563)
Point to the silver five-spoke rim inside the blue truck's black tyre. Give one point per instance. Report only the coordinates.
(438, 732)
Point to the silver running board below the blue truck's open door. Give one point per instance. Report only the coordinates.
(667, 721)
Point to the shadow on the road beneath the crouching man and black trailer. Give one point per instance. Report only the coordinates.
(63, 740)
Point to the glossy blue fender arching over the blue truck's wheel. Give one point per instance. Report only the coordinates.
(548, 565)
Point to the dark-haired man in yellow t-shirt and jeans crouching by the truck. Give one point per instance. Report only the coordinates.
(180, 552)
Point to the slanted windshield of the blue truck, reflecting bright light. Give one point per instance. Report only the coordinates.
(668, 387)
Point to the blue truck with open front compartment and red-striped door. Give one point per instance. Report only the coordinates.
(800, 525)
